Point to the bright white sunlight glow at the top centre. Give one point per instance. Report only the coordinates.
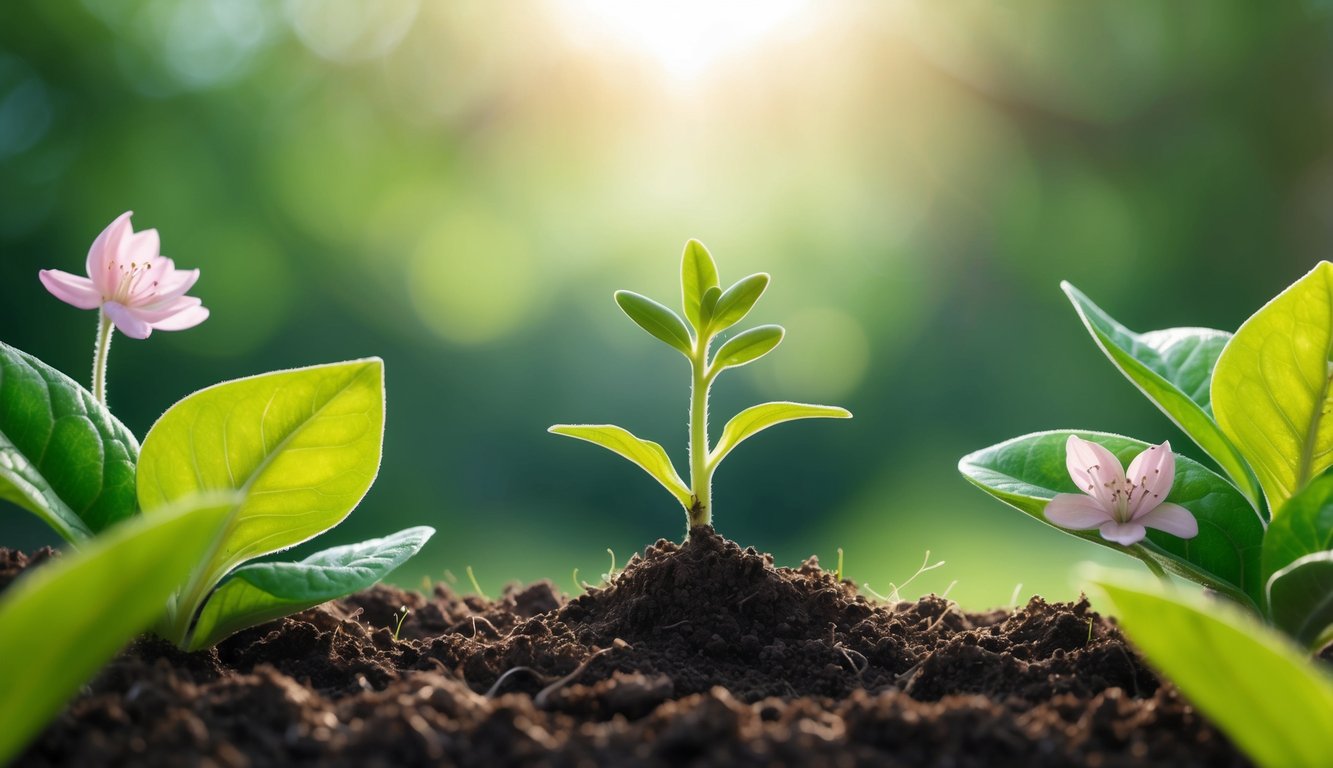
(683, 37)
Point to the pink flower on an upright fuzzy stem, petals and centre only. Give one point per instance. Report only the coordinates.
(129, 278)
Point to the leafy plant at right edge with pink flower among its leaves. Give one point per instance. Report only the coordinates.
(1258, 403)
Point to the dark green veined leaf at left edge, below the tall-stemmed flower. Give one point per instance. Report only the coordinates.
(63, 455)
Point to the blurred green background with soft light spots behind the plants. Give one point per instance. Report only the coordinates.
(458, 187)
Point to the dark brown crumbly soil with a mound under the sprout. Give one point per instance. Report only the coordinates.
(702, 654)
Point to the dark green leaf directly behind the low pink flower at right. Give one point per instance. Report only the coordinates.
(1028, 471)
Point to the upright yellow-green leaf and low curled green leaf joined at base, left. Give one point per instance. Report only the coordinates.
(299, 449)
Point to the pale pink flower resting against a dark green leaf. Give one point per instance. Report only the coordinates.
(1120, 507)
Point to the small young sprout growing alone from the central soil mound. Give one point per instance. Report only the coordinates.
(710, 311)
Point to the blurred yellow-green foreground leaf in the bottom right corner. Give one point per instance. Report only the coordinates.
(1263, 693)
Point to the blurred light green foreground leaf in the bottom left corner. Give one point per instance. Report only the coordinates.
(62, 622)
